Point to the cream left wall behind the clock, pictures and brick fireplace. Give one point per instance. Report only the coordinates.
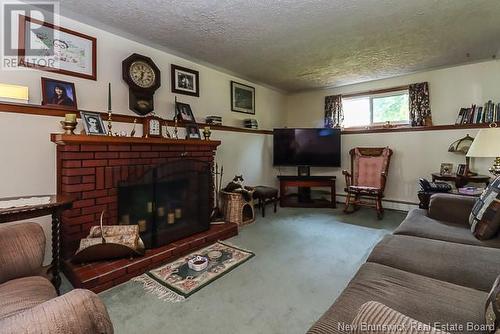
(28, 156)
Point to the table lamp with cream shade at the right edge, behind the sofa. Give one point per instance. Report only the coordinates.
(487, 145)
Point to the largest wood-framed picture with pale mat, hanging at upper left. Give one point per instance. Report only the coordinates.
(47, 47)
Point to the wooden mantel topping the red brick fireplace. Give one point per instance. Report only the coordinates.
(63, 139)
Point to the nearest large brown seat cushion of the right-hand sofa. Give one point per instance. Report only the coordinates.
(422, 298)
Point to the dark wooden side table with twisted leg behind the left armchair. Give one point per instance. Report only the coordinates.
(55, 207)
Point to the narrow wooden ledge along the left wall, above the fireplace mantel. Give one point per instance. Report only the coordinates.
(33, 109)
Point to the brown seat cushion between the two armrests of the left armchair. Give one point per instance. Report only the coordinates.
(24, 293)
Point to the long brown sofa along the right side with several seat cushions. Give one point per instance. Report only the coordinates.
(431, 269)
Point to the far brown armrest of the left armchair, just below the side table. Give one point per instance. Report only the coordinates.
(22, 247)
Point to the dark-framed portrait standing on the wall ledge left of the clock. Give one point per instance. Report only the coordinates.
(58, 94)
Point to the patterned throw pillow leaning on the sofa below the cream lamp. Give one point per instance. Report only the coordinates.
(485, 216)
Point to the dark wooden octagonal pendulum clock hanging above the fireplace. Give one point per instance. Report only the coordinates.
(143, 78)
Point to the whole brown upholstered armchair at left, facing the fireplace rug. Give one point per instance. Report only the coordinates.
(28, 301)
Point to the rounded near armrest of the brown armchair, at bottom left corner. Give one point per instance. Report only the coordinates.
(77, 312)
